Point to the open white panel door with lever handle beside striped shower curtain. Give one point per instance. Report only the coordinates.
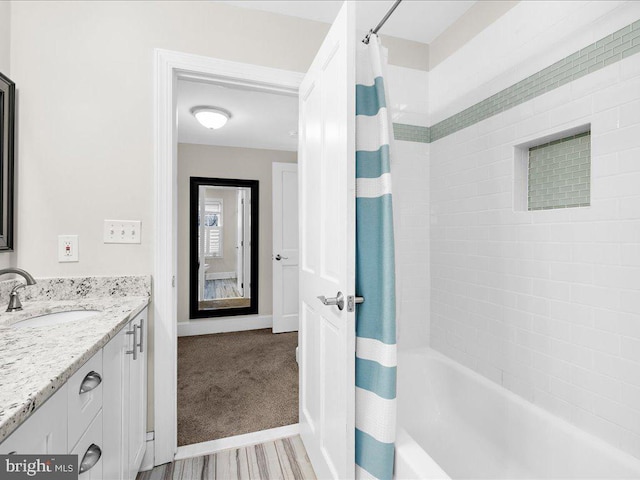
(327, 251)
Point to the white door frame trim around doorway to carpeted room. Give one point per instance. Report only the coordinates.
(169, 67)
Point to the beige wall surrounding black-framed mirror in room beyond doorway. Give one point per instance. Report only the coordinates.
(227, 162)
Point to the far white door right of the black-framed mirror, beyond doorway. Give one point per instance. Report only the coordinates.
(285, 247)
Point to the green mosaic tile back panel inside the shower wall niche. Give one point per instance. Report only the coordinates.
(560, 173)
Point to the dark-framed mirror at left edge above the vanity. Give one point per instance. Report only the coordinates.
(7, 141)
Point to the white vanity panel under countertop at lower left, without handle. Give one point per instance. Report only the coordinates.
(44, 432)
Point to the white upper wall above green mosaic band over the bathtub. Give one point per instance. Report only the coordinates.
(527, 38)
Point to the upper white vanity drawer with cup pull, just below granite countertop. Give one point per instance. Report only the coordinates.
(84, 391)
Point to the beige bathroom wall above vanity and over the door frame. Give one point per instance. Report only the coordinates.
(84, 73)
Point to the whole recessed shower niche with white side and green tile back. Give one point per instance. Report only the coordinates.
(554, 172)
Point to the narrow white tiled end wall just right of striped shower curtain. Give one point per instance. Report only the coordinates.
(408, 101)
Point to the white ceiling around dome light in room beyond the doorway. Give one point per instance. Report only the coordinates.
(258, 119)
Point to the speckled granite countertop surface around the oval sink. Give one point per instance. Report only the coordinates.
(36, 361)
